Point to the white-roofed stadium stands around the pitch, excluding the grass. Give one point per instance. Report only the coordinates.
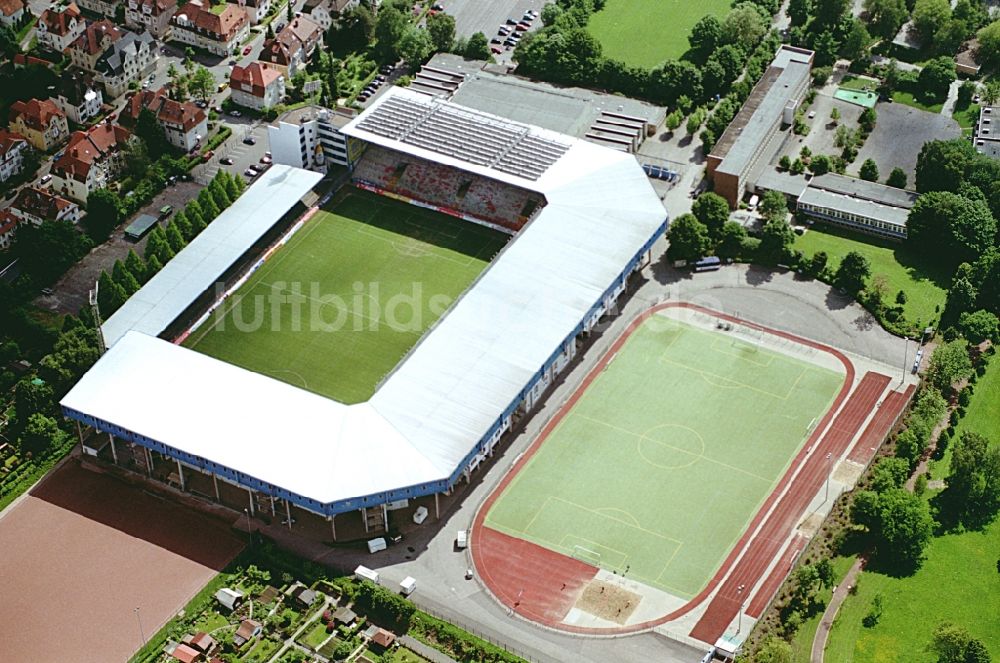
(585, 219)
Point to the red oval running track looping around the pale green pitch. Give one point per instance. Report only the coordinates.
(504, 578)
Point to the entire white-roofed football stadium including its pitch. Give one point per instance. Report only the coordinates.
(266, 369)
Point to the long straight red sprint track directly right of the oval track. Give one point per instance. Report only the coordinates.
(779, 525)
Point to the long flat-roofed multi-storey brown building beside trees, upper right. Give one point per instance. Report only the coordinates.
(755, 135)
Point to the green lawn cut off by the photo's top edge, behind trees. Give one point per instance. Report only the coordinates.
(647, 32)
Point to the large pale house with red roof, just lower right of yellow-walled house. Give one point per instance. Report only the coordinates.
(91, 161)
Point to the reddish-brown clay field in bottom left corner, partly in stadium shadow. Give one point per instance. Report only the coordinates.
(83, 551)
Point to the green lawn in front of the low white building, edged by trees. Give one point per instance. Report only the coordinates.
(925, 287)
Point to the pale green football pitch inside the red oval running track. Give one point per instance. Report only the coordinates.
(668, 454)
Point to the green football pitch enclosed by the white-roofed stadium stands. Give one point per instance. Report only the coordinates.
(336, 308)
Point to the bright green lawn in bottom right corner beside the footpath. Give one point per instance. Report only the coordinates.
(957, 582)
